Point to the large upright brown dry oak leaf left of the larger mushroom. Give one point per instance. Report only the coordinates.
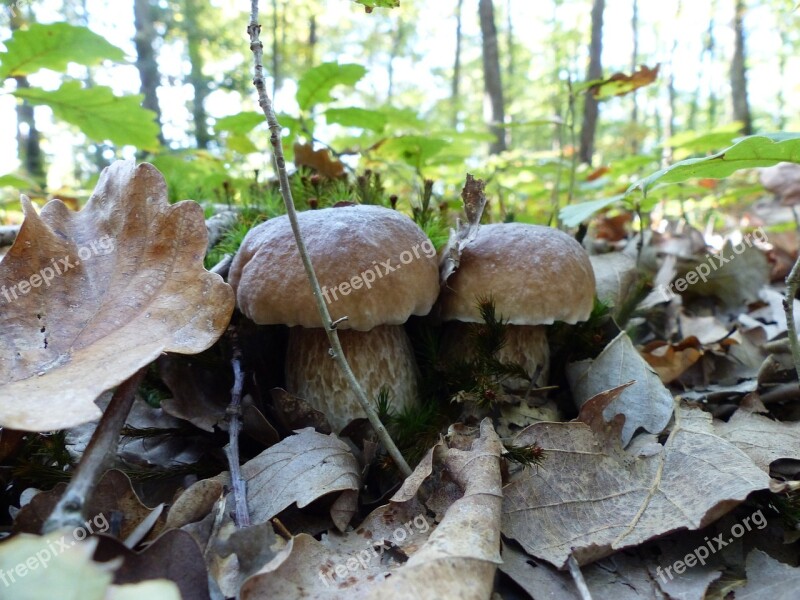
(95, 295)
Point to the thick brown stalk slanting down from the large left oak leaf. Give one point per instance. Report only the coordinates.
(69, 512)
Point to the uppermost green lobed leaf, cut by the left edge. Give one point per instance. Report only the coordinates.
(54, 46)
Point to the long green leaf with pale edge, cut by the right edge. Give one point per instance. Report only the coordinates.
(747, 153)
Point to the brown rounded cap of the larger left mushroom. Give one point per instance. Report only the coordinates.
(374, 265)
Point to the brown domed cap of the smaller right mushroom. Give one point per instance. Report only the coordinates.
(536, 275)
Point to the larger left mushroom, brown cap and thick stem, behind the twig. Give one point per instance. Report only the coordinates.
(375, 266)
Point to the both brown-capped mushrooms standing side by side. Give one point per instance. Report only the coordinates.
(377, 268)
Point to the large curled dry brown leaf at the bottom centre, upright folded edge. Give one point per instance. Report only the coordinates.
(457, 559)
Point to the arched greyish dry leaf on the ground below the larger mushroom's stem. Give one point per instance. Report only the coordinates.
(301, 469)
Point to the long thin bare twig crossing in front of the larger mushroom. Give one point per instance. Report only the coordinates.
(254, 30)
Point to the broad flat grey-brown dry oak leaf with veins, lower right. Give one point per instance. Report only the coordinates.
(592, 497)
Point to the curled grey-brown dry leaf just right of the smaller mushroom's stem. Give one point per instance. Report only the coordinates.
(647, 403)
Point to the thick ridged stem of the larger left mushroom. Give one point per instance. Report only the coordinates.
(381, 357)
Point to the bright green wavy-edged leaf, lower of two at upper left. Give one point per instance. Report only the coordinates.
(99, 114)
